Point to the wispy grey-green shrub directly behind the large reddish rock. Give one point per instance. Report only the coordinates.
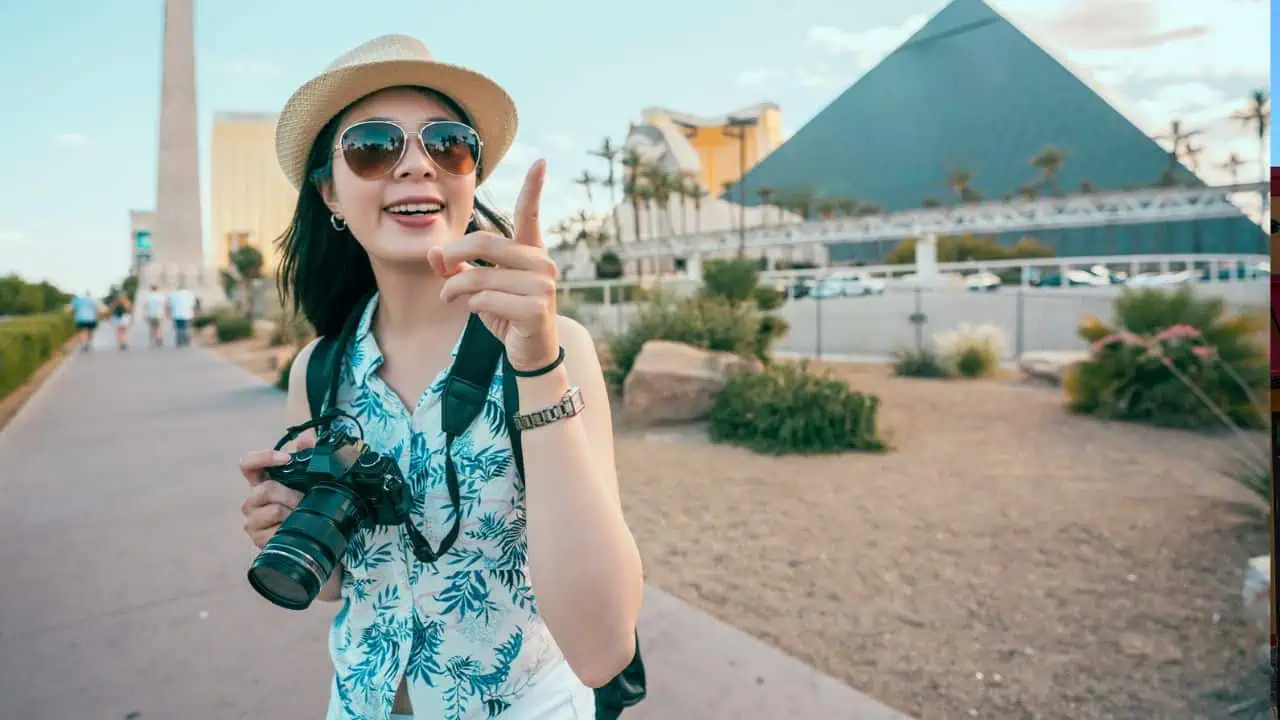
(711, 323)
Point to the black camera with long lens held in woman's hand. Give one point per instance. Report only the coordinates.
(345, 487)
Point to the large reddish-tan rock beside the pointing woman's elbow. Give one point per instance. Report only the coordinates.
(673, 382)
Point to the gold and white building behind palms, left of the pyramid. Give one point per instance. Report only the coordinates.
(717, 145)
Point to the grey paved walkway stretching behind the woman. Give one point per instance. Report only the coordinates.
(122, 569)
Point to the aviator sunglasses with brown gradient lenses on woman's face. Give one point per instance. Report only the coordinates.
(374, 148)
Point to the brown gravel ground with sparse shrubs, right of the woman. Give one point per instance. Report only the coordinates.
(1007, 560)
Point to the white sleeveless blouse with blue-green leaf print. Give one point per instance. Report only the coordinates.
(464, 632)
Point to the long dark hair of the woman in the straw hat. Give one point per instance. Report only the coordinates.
(326, 272)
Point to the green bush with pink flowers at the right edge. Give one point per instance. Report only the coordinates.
(1172, 359)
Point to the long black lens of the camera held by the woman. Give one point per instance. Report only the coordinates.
(301, 555)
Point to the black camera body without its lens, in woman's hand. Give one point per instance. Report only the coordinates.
(339, 458)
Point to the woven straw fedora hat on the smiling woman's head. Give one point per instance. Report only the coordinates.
(391, 61)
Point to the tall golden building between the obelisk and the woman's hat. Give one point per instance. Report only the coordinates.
(252, 203)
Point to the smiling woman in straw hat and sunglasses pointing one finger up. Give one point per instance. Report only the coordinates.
(387, 149)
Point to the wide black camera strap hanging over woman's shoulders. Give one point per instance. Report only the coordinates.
(467, 390)
